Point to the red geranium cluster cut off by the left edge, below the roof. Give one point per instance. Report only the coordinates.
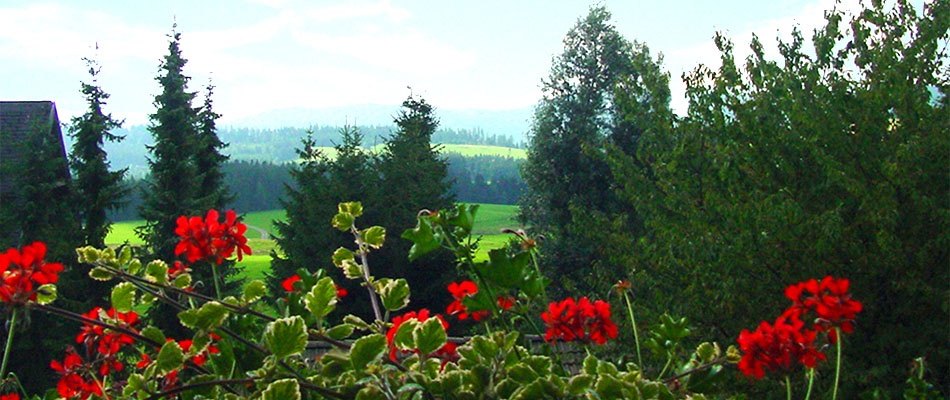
(19, 270)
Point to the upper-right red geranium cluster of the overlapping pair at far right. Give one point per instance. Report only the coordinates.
(829, 299)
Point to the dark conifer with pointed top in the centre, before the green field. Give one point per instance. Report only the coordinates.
(414, 177)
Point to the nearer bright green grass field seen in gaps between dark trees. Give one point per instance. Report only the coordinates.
(489, 221)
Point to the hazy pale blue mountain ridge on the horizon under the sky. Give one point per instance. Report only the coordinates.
(513, 123)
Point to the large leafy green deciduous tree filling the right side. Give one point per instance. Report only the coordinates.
(832, 162)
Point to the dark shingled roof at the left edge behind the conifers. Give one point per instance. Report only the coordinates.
(23, 123)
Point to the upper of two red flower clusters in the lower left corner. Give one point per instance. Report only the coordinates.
(107, 344)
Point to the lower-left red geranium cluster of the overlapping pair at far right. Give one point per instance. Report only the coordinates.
(777, 347)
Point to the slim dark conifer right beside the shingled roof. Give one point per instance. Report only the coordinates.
(97, 188)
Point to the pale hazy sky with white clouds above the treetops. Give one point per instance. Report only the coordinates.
(270, 54)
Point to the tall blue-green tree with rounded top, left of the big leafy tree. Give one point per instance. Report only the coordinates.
(569, 183)
